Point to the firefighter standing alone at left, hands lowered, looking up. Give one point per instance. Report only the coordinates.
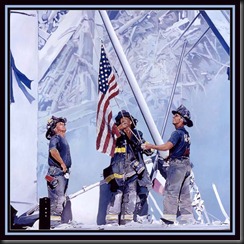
(59, 161)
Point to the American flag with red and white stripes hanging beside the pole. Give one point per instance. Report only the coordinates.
(107, 89)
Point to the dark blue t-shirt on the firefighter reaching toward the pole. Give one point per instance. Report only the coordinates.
(181, 141)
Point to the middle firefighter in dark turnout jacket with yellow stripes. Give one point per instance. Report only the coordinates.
(127, 173)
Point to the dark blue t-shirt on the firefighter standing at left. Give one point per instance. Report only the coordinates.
(61, 144)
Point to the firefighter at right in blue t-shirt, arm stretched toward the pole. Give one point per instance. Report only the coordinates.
(177, 205)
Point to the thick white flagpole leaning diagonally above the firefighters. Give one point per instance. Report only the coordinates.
(133, 83)
